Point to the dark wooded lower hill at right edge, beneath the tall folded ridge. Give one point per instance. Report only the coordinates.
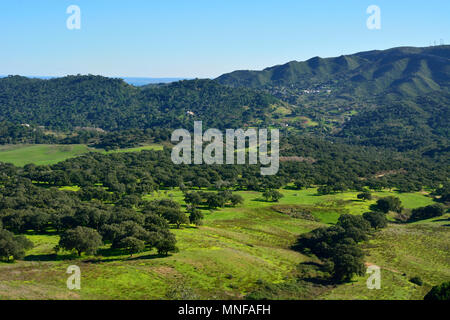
(403, 124)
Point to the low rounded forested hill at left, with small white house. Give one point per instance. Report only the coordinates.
(111, 104)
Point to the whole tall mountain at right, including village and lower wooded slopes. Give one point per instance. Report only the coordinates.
(397, 98)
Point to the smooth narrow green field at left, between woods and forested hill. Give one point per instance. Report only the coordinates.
(47, 154)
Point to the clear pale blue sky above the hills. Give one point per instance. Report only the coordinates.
(203, 38)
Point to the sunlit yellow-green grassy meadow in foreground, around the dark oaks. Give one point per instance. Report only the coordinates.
(237, 251)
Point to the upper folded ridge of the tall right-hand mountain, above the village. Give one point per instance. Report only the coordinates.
(403, 70)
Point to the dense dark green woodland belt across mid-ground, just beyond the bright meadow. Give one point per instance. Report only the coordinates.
(308, 162)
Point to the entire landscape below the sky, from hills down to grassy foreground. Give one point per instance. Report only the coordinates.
(86, 179)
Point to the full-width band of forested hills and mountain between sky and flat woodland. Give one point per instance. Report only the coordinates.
(397, 98)
